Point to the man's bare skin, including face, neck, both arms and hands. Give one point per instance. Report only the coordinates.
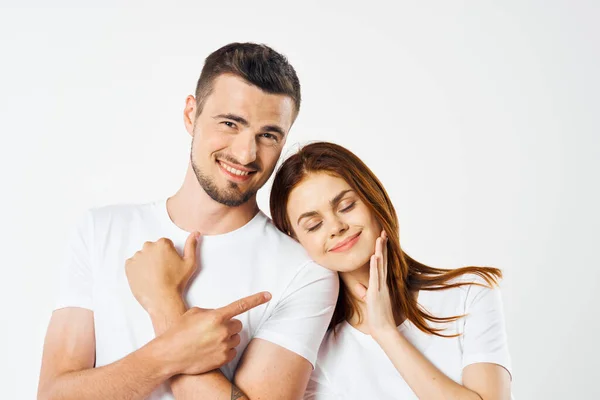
(246, 128)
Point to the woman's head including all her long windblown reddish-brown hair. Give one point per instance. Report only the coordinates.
(324, 196)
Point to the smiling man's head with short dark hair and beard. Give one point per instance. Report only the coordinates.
(246, 100)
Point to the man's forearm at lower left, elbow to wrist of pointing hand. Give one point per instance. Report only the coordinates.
(132, 377)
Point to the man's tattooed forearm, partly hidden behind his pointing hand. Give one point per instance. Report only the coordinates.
(211, 385)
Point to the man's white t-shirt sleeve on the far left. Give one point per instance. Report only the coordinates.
(75, 279)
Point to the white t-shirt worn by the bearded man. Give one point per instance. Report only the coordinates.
(251, 259)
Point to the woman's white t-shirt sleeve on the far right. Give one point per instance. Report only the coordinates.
(484, 337)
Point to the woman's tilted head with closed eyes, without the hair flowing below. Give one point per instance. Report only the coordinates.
(327, 198)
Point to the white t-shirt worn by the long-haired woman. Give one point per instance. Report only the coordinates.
(351, 365)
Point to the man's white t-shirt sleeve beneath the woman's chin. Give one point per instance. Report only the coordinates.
(302, 315)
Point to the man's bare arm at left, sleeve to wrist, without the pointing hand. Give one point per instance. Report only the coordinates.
(68, 363)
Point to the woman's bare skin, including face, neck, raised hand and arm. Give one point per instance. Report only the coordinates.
(363, 269)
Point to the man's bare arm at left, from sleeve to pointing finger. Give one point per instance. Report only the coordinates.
(198, 342)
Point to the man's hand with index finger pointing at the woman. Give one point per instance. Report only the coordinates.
(203, 340)
